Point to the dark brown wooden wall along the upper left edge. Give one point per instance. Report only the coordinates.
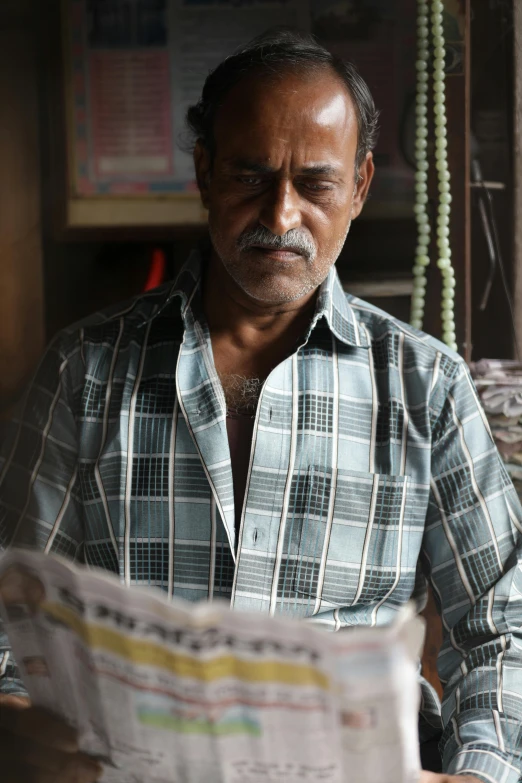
(21, 288)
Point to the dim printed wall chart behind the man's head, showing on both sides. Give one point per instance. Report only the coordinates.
(136, 65)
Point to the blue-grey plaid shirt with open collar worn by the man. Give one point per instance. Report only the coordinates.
(372, 469)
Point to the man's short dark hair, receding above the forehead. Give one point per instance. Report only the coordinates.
(273, 53)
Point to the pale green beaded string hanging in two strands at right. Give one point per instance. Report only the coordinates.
(422, 259)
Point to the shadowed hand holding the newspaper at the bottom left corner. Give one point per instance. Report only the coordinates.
(35, 747)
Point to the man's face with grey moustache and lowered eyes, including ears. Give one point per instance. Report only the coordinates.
(282, 189)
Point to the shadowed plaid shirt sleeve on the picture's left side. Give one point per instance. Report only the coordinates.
(39, 490)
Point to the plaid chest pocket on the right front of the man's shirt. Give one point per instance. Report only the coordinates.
(350, 548)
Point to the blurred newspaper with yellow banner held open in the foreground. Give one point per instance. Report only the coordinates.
(174, 692)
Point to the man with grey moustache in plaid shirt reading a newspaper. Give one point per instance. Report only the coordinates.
(368, 467)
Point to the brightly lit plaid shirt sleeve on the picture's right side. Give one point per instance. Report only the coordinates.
(472, 553)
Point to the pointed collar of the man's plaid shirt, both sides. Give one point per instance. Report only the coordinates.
(332, 303)
